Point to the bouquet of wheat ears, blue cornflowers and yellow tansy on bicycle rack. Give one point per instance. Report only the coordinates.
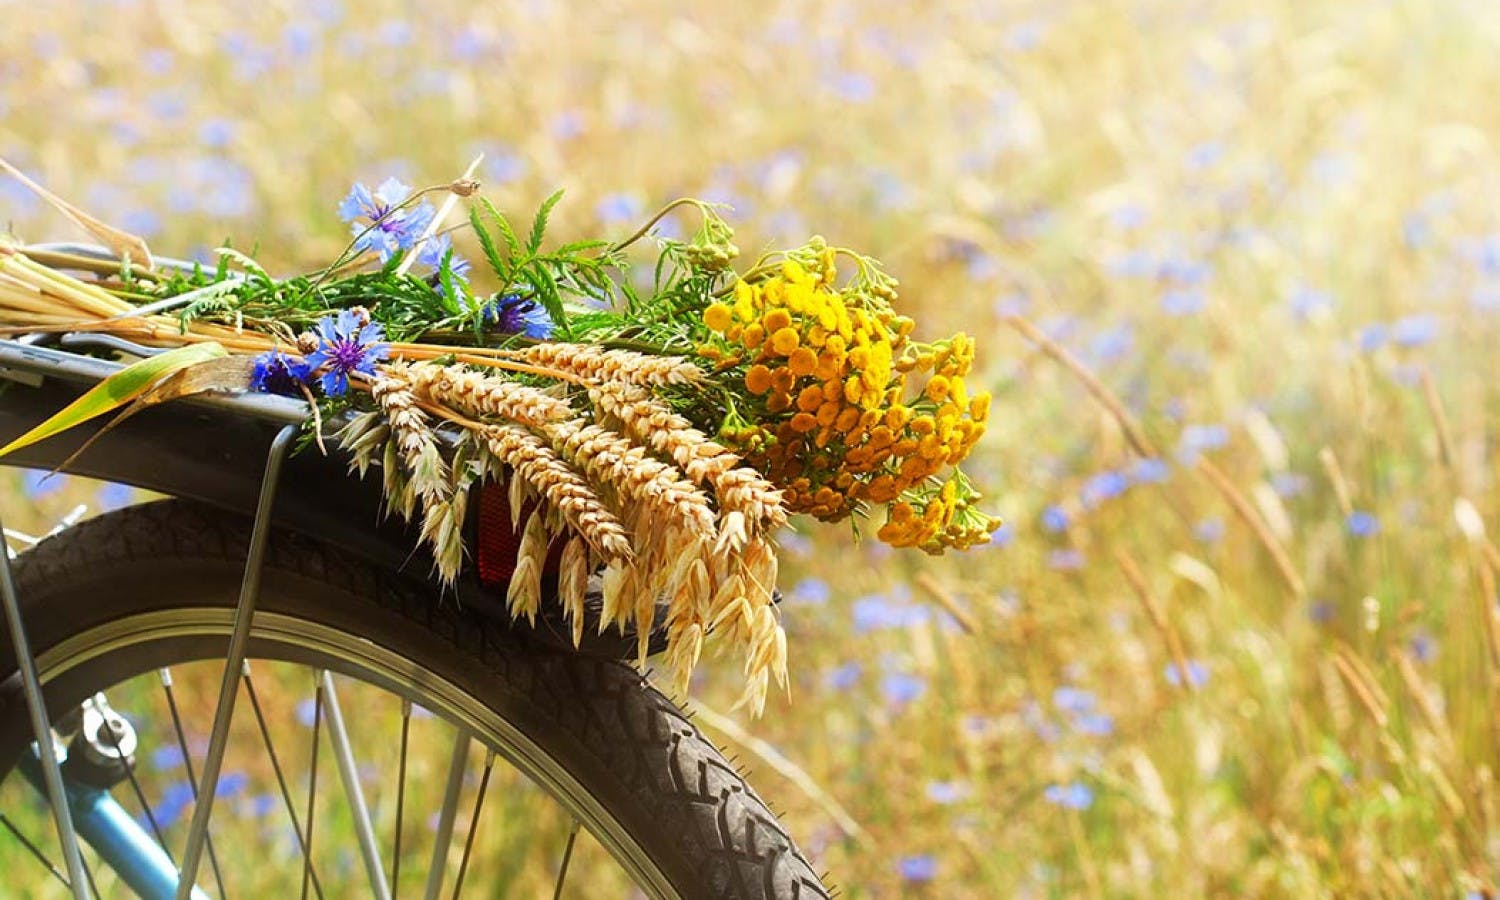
(659, 434)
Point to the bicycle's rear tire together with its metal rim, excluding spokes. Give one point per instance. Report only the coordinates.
(155, 586)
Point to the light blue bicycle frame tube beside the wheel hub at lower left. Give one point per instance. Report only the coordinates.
(119, 841)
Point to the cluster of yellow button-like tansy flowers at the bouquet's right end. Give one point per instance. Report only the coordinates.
(836, 416)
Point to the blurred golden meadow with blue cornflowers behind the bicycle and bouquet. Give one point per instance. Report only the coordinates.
(1235, 274)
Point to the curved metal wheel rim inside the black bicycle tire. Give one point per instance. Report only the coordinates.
(289, 638)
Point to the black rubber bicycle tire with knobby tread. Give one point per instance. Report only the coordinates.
(641, 757)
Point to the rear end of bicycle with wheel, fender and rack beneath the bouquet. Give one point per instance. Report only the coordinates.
(268, 556)
